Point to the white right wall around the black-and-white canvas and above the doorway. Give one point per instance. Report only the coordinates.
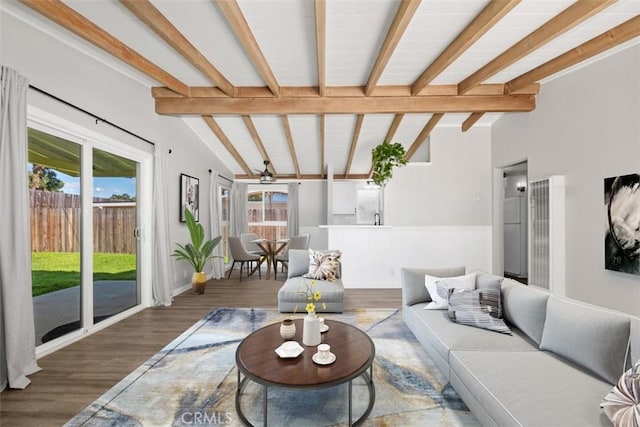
(586, 126)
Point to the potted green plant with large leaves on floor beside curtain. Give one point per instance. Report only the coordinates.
(198, 252)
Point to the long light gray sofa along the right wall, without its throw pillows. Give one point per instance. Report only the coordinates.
(563, 357)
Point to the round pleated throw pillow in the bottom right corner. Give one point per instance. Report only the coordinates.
(622, 404)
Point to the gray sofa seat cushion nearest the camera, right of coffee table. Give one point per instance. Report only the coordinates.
(534, 388)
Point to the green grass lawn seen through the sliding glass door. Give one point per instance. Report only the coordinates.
(52, 271)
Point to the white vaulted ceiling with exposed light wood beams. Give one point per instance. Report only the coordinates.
(307, 83)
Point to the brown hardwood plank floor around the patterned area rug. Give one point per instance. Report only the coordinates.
(76, 375)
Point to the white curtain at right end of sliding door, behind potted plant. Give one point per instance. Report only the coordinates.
(162, 261)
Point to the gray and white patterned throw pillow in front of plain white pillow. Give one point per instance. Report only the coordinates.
(480, 308)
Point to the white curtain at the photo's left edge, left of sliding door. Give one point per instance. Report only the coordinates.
(17, 332)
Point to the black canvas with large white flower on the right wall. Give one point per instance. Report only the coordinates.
(622, 235)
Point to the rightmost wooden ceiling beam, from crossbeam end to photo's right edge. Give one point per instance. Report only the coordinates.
(607, 40)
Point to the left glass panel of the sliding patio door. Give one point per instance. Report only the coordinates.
(54, 193)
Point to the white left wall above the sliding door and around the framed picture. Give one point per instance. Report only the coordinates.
(53, 66)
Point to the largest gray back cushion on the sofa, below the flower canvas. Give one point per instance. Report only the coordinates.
(587, 335)
